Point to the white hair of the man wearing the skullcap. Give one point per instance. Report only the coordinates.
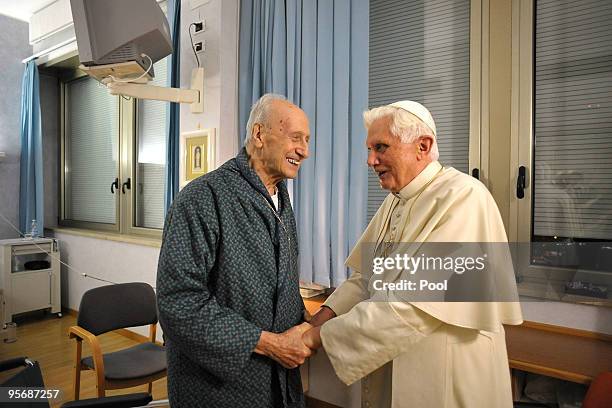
(404, 125)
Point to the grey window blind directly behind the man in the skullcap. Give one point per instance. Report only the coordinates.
(420, 50)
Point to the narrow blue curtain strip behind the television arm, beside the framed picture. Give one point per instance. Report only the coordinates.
(174, 112)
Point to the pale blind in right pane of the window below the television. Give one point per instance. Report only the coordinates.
(151, 155)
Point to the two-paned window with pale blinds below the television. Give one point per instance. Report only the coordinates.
(100, 190)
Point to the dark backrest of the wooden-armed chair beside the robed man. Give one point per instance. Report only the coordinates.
(117, 306)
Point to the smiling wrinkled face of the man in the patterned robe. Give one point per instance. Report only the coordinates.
(284, 141)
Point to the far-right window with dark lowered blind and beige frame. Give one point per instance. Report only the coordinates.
(564, 129)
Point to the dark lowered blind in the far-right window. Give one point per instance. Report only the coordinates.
(573, 119)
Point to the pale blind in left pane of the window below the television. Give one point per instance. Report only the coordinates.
(92, 148)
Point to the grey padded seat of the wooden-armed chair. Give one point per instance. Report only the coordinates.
(142, 360)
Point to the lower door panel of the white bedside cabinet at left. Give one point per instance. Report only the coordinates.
(30, 291)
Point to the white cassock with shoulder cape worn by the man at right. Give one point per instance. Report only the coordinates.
(425, 354)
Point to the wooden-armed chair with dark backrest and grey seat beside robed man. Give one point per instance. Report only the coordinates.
(114, 307)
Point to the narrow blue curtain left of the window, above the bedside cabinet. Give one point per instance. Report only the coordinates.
(31, 199)
